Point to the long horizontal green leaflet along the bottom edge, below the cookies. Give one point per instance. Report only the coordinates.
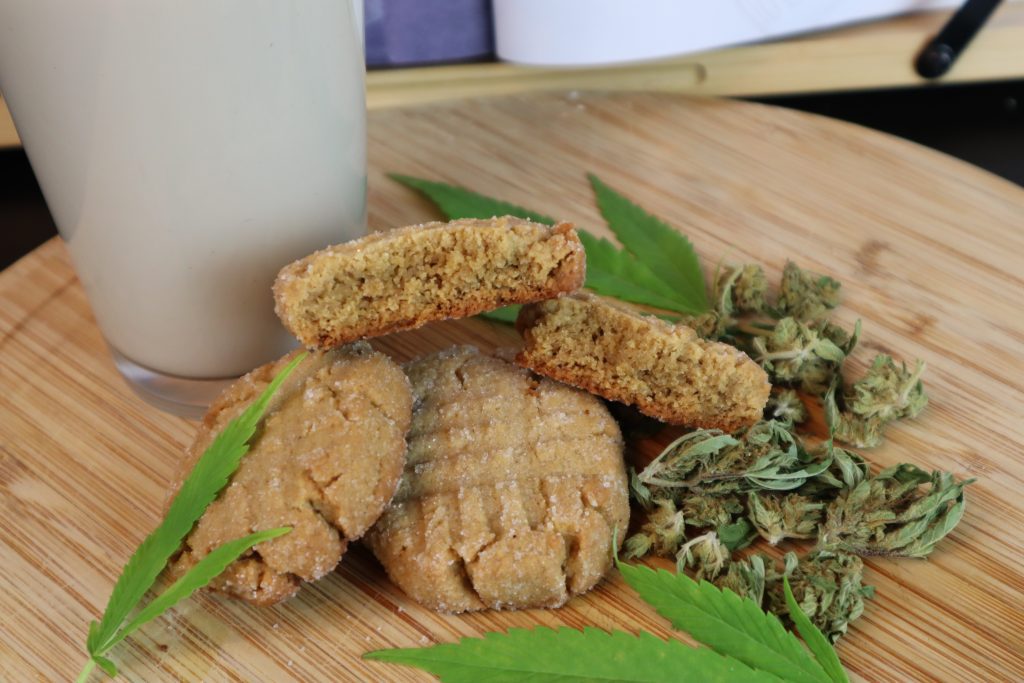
(563, 656)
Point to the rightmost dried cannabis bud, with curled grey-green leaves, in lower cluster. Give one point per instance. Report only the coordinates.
(893, 515)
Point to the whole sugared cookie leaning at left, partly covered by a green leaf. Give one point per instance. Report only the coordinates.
(326, 462)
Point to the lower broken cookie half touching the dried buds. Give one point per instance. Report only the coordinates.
(667, 371)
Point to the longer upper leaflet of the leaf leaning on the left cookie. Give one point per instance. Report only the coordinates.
(207, 479)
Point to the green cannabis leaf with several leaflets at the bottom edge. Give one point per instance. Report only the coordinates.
(744, 645)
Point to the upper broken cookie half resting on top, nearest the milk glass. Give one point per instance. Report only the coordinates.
(406, 278)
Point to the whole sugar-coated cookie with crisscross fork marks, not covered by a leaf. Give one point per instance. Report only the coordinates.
(514, 488)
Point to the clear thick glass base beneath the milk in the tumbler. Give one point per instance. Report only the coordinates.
(179, 396)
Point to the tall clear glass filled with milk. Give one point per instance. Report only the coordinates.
(188, 150)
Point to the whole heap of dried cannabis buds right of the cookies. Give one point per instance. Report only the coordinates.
(710, 494)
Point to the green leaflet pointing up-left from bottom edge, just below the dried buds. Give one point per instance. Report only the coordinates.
(729, 624)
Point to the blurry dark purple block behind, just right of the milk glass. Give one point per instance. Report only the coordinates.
(415, 32)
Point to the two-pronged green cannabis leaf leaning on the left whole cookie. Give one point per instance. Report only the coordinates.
(207, 479)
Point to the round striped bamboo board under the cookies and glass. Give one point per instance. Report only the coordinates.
(930, 252)
